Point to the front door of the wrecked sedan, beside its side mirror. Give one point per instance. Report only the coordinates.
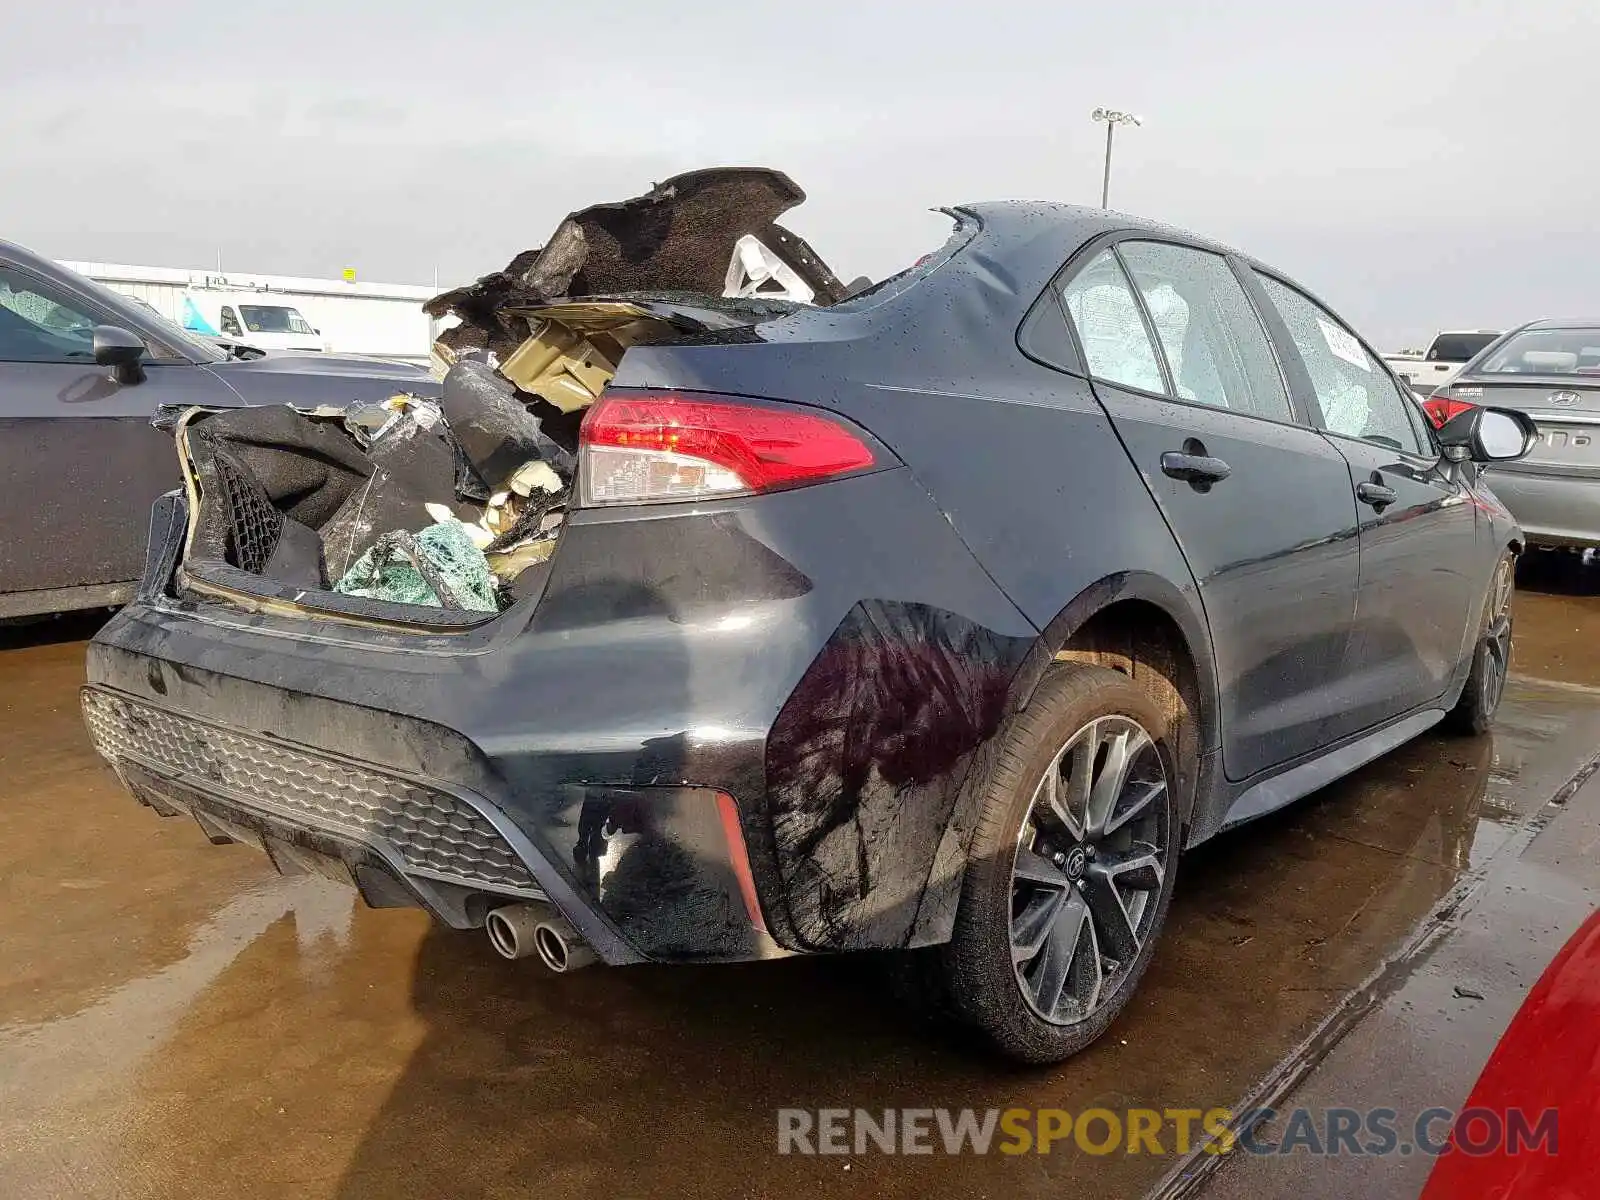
(1418, 527)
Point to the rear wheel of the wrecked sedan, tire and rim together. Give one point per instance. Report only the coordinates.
(1071, 870)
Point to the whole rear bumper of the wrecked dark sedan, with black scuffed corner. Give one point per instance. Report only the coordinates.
(687, 743)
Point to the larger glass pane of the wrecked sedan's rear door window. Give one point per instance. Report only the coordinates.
(1217, 350)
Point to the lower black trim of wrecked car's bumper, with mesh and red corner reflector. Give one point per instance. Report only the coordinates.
(402, 838)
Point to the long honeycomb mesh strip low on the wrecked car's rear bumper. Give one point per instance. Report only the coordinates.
(431, 831)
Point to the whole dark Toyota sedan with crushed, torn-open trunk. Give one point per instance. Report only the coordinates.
(719, 610)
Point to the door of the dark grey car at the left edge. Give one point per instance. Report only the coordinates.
(79, 460)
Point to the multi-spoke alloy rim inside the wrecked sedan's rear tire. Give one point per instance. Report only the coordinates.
(1090, 863)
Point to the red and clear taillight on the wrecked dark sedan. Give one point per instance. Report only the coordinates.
(639, 447)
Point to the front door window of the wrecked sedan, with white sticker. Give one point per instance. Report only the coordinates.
(1354, 391)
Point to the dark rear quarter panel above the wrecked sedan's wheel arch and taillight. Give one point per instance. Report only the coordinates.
(1020, 457)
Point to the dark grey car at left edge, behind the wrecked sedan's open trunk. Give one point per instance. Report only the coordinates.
(82, 372)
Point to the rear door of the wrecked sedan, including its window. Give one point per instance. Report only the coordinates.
(1258, 502)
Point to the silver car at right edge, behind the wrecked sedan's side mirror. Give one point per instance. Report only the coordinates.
(1551, 372)
